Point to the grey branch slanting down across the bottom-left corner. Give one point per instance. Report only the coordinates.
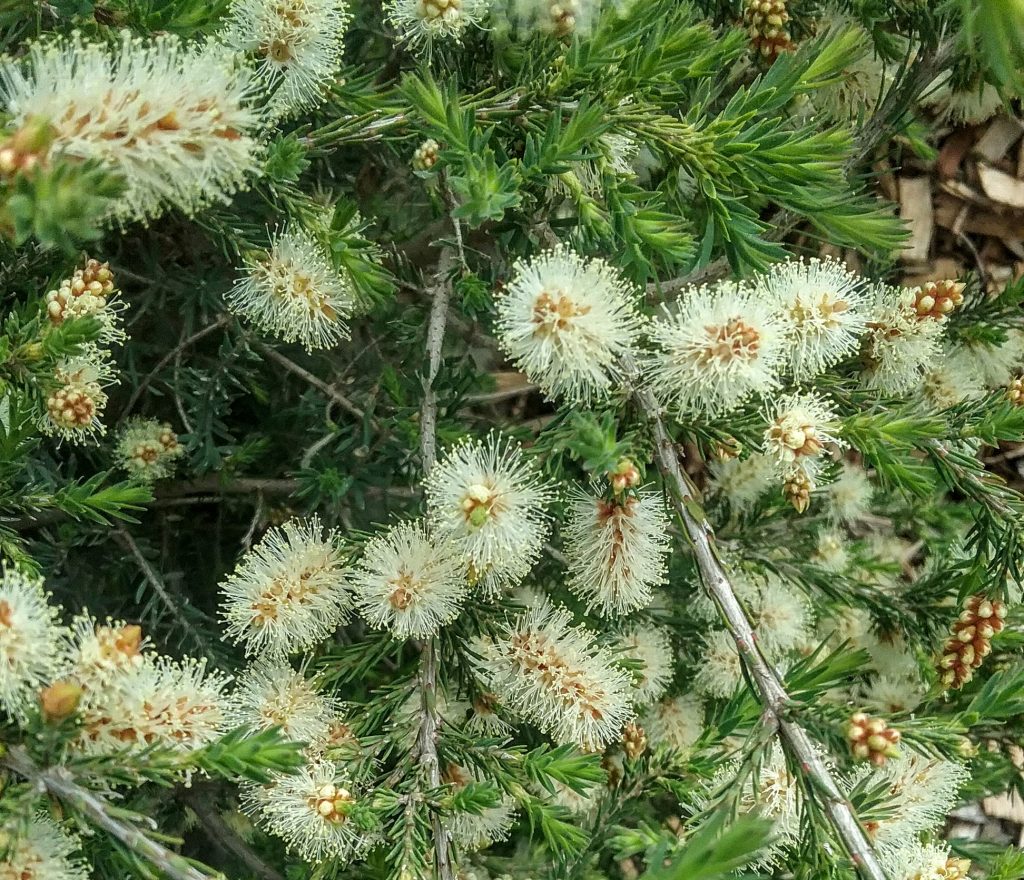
(58, 782)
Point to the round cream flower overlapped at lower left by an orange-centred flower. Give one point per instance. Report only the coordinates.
(826, 304)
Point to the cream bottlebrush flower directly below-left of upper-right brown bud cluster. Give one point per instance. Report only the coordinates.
(901, 345)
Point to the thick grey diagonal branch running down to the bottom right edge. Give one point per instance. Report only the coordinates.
(772, 692)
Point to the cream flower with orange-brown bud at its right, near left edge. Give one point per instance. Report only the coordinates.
(103, 652)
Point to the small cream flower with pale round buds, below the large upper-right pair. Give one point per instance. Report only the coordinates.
(799, 428)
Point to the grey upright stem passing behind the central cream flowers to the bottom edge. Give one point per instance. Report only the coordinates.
(430, 721)
